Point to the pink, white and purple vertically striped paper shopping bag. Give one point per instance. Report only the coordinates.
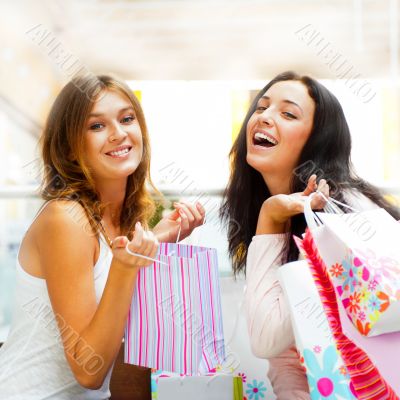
(175, 320)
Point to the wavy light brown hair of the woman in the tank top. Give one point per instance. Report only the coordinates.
(67, 177)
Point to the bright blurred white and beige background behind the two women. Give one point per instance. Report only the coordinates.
(195, 66)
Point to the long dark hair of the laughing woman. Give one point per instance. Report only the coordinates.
(326, 154)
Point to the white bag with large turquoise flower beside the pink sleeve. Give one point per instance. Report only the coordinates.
(326, 373)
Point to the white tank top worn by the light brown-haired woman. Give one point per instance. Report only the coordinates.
(32, 361)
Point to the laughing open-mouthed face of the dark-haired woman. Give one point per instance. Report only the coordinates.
(279, 128)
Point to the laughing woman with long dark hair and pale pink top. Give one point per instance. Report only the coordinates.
(293, 141)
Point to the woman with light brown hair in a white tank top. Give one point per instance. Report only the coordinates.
(75, 279)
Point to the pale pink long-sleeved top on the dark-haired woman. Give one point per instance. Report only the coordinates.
(268, 317)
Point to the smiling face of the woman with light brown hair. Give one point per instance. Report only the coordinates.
(113, 137)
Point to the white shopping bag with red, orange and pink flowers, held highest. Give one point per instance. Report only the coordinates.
(365, 268)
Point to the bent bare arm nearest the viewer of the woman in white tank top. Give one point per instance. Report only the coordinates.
(91, 333)
